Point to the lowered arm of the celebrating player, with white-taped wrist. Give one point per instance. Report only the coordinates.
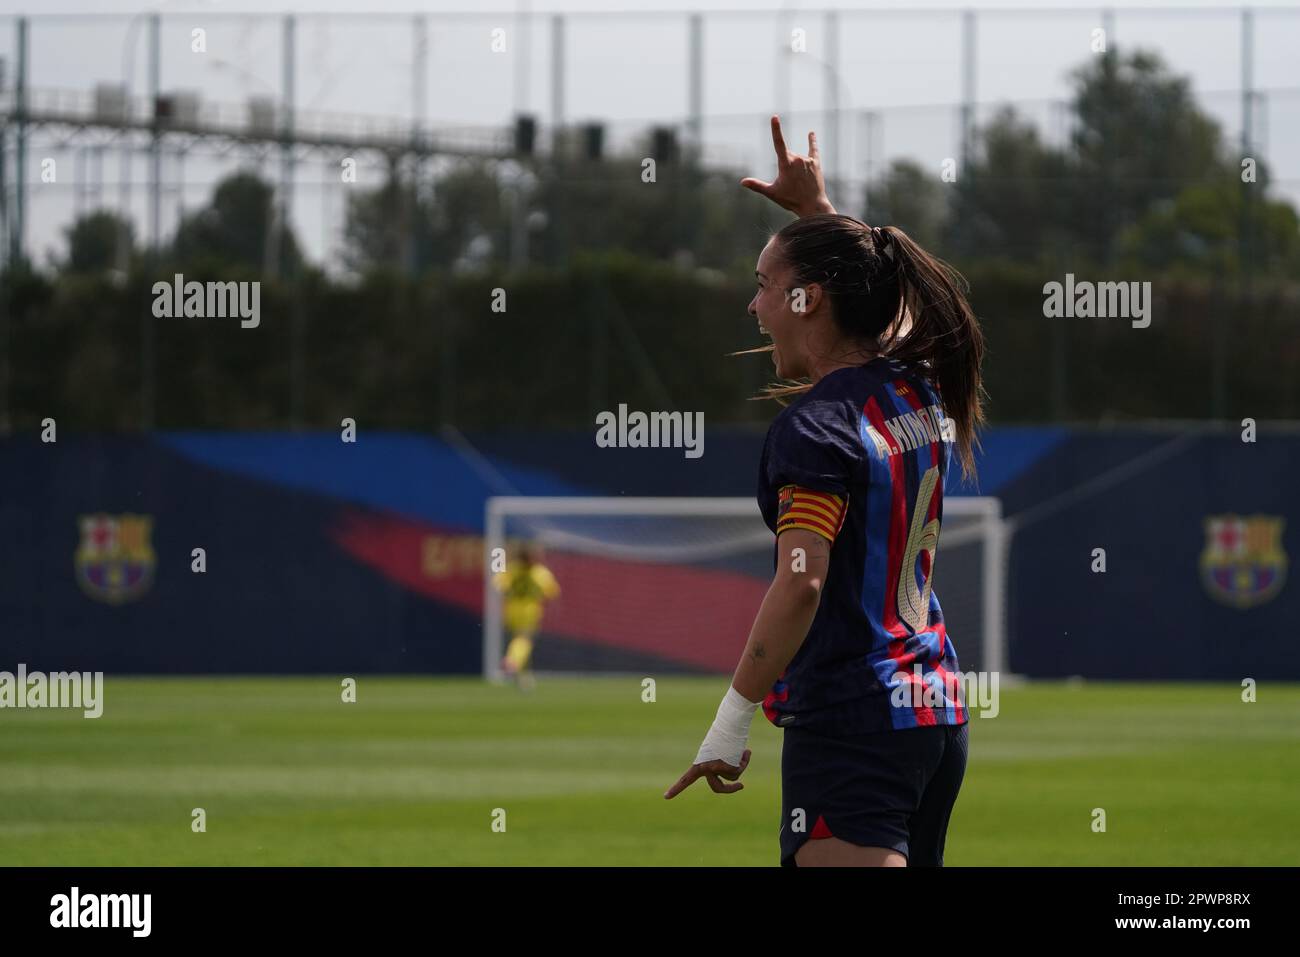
(779, 630)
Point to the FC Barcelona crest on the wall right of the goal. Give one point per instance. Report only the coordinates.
(1243, 564)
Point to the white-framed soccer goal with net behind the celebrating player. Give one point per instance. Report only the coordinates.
(655, 586)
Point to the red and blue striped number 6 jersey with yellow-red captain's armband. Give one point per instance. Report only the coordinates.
(866, 449)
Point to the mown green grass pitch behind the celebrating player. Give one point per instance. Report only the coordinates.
(411, 773)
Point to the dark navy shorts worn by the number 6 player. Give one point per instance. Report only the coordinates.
(885, 790)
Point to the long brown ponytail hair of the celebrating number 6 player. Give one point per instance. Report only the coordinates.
(887, 291)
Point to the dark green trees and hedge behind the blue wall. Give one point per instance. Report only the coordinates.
(635, 293)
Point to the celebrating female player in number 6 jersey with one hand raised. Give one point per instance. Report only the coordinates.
(848, 652)
